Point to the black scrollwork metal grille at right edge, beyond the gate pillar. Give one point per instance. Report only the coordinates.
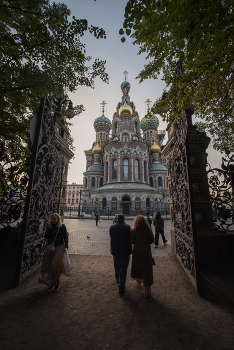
(221, 184)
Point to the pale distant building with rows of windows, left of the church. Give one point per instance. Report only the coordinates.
(74, 193)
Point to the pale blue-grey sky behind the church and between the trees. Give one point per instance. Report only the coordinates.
(120, 57)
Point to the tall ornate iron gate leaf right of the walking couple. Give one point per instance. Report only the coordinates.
(181, 199)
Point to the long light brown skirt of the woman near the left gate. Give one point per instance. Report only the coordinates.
(52, 266)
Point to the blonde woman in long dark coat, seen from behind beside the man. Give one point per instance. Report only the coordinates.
(142, 270)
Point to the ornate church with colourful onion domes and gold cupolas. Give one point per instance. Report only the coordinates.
(125, 170)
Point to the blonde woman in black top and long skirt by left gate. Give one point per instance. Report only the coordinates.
(52, 262)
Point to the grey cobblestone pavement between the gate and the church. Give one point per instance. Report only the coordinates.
(98, 242)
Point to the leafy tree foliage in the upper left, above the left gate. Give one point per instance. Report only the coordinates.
(41, 48)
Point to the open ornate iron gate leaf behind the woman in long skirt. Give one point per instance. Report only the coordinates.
(43, 192)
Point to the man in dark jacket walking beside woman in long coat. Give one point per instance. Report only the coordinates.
(121, 248)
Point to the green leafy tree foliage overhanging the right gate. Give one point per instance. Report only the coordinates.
(196, 36)
